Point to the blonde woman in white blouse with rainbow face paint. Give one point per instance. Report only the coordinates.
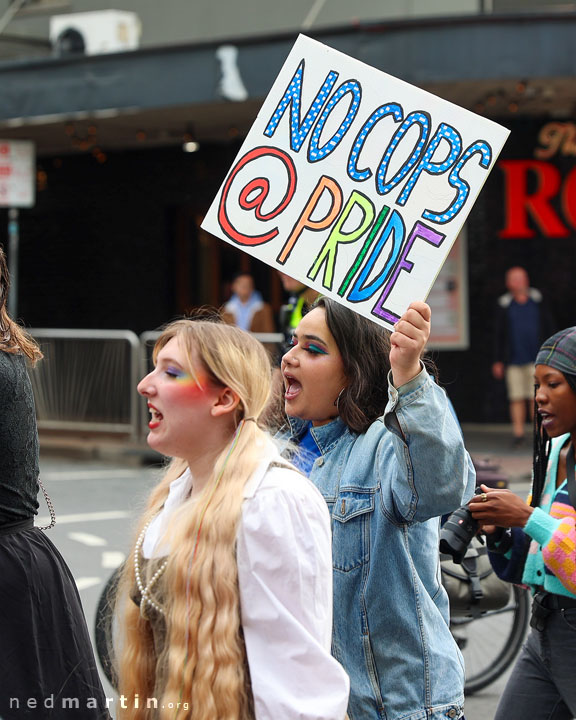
(227, 598)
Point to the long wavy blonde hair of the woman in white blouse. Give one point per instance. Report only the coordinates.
(203, 665)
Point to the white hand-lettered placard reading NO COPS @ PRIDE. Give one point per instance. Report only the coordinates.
(354, 182)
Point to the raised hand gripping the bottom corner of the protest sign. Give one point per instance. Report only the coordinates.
(408, 340)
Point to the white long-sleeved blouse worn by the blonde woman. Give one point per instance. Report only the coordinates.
(284, 560)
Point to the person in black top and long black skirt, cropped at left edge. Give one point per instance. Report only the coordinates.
(47, 666)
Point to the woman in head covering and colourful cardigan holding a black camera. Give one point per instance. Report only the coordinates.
(539, 548)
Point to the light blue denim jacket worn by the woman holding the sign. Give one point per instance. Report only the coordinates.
(386, 489)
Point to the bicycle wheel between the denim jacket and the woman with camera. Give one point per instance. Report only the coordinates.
(491, 642)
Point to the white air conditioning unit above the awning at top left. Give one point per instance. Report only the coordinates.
(93, 33)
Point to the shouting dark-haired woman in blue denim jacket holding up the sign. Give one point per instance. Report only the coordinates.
(376, 435)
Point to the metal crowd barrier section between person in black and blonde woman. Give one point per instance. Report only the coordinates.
(87, 381)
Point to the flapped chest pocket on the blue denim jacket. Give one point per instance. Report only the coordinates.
(351, 513)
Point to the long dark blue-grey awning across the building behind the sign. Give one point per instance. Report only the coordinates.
(463, 60)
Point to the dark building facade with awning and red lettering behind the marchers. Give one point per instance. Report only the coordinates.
(114, 239)
